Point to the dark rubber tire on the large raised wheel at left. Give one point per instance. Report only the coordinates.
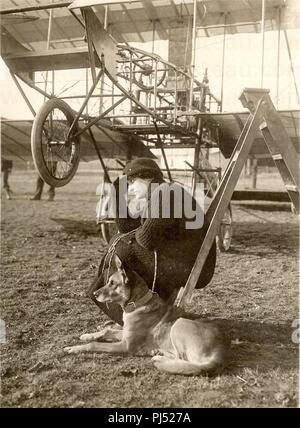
(36, 142)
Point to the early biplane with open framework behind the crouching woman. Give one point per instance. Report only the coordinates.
(143, 102)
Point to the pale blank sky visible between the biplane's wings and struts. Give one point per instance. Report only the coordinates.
(242, 69)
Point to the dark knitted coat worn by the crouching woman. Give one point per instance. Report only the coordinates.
(176, 247)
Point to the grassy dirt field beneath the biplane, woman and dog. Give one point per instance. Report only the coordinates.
(49, 255)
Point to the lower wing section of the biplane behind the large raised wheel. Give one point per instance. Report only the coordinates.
(16, 135)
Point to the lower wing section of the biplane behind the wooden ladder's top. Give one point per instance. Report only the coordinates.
(230, 126)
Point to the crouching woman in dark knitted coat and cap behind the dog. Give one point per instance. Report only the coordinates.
(155, 239)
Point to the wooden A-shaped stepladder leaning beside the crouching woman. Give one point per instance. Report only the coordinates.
(263, 117)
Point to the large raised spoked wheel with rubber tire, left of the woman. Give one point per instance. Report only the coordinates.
(56, 154)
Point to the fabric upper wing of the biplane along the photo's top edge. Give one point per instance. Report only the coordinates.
(139, 21)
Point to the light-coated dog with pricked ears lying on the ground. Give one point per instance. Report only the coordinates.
(151, 327)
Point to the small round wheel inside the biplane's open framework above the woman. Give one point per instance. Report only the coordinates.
(144, 71)
